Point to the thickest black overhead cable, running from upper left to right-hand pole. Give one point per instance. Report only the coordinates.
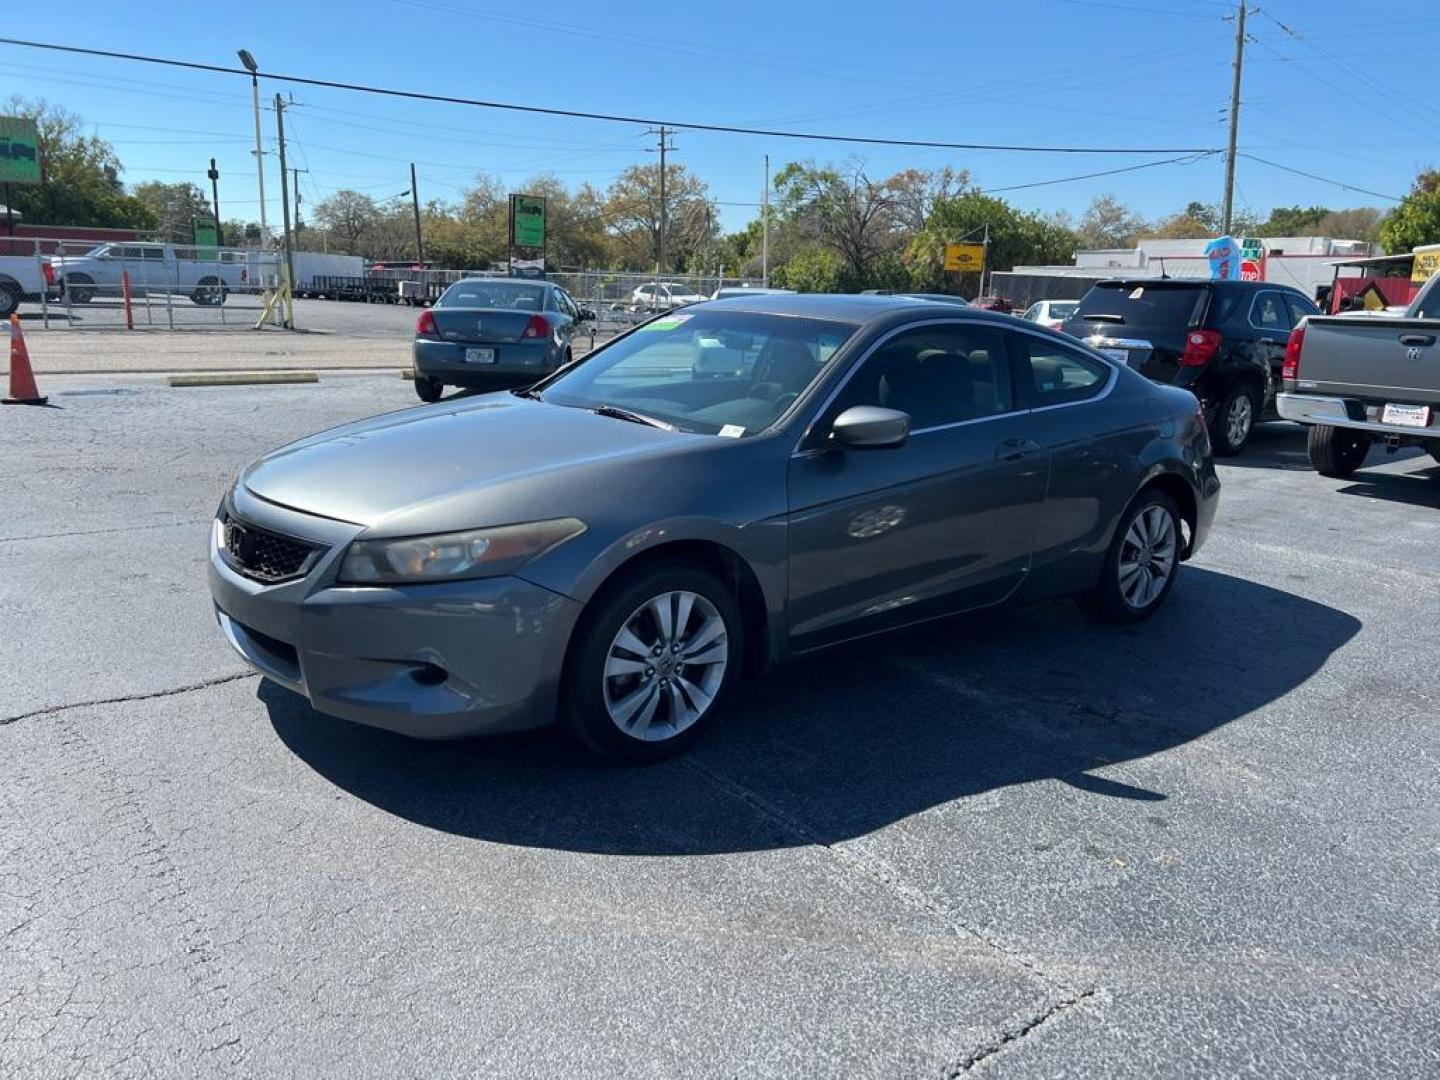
(610, 117)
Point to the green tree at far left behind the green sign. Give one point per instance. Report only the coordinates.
(81, 175)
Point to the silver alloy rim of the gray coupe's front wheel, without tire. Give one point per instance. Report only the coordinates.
(666, 666)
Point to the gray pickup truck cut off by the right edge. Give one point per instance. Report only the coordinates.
(1364, 379)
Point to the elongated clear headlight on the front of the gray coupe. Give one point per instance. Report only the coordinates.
(451, 557)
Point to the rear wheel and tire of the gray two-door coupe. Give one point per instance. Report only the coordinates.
(1128, 598)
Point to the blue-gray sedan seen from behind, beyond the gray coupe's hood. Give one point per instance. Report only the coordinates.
(495, 335)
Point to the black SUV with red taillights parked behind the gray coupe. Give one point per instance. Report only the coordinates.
(1222, 341)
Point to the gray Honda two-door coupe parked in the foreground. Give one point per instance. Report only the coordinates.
(716, 492)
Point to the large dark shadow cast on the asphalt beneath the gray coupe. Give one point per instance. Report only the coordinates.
(866, 735)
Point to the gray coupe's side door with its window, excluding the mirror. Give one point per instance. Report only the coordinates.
(881, 538)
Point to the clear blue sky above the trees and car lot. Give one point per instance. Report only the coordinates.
(1092, 73)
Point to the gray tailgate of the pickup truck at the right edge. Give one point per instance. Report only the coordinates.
(1373, 359)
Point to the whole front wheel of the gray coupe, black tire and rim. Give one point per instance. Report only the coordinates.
(653, 705)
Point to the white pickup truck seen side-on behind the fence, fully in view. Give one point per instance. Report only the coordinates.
(202, 274)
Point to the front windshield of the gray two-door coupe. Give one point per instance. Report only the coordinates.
(716, 372)
